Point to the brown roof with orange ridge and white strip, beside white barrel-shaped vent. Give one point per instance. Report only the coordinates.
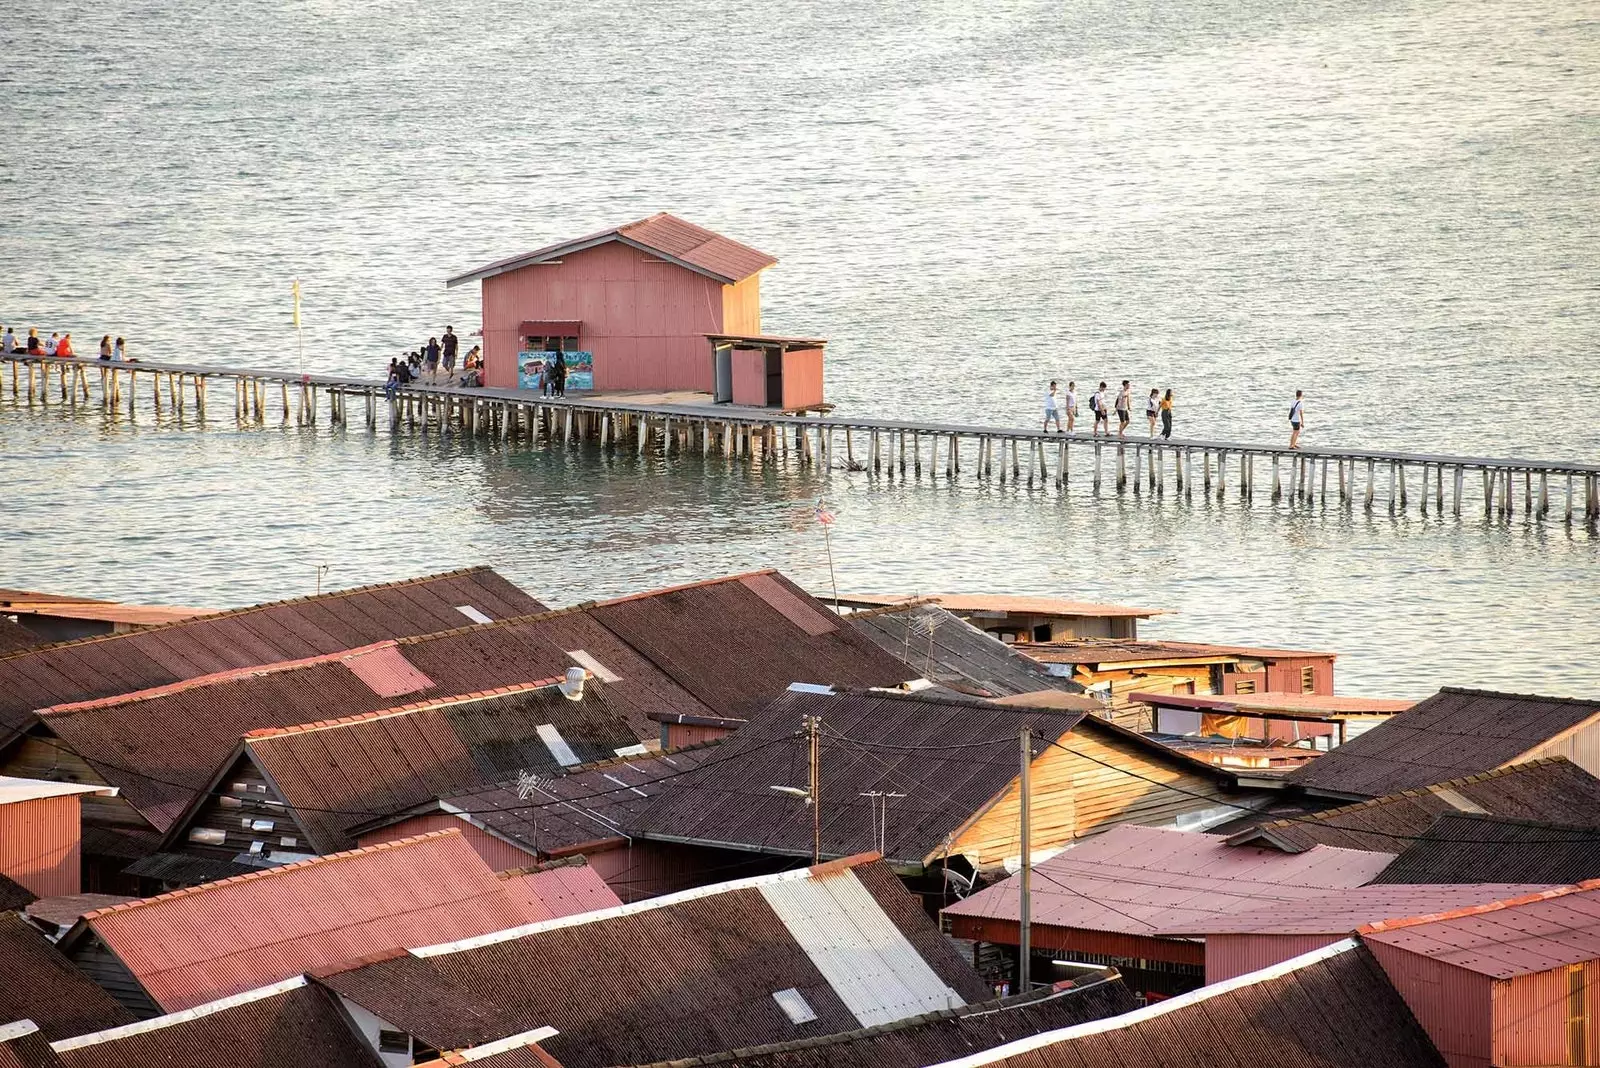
(343, 771)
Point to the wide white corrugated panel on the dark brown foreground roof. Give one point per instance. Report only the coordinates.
(868, 962)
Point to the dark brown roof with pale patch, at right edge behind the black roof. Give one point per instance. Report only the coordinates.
(1546, 789)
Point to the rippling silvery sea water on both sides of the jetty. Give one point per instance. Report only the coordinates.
(1390, 205)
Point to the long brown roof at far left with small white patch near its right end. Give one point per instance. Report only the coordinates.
(263, 634)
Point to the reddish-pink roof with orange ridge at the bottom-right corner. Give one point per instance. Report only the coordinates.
(1508, 938)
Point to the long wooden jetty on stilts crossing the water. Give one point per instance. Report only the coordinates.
(1345, 479)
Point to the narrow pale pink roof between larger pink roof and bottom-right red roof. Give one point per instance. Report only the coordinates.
(1348, 911)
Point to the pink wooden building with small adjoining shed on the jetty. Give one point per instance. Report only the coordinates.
(660, 305)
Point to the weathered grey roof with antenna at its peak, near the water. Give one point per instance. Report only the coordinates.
(946, 650)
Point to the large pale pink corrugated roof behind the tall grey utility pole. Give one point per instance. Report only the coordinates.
(1146, 880)
